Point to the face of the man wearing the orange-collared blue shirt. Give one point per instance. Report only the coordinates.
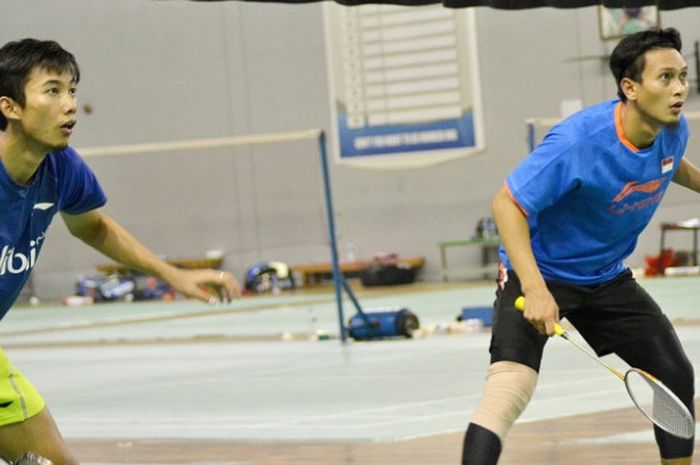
(664, 87)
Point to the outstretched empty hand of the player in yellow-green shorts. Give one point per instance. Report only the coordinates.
(211, 286)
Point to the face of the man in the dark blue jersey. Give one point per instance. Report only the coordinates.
(49, 113)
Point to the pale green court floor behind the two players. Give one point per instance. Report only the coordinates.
(188, 370)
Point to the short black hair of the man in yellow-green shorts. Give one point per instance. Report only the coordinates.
(19, 58)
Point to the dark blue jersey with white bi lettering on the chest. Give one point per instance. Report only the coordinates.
(63, 182)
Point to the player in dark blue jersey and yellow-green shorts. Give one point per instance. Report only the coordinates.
(40, 175)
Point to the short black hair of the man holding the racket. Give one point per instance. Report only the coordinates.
(627, 59)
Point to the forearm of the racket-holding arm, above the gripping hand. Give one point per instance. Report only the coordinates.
(515, 235)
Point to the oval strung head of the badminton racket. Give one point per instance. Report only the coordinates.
(659, 404)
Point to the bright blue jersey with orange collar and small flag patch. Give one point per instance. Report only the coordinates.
(588, 193)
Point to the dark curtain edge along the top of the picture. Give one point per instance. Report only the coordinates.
(510, 4)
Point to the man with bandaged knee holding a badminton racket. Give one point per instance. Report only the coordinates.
(568, 216)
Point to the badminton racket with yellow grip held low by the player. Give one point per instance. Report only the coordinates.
(656, 401)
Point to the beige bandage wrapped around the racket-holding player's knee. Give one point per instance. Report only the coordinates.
(508, 389)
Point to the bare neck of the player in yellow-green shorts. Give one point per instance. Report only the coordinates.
(19, 157)
